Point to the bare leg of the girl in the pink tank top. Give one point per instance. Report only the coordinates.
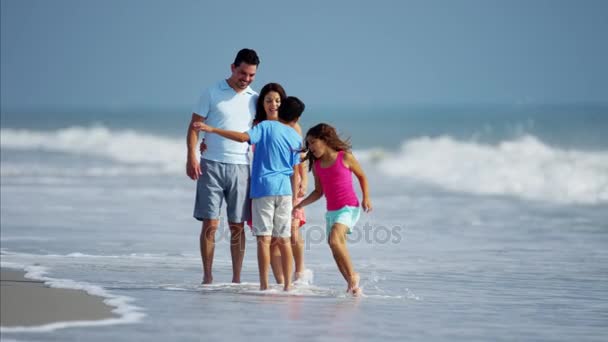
(337, 243)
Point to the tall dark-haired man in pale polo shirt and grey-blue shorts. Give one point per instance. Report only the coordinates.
(223, 171)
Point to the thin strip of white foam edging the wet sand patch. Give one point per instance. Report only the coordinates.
(128, 312)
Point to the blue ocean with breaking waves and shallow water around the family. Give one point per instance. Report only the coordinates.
(490, 223)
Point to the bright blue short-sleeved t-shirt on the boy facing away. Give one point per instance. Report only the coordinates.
(277, 151)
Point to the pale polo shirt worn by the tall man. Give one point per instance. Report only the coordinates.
(222, 107)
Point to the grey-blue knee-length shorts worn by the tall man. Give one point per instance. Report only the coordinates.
(221, 181)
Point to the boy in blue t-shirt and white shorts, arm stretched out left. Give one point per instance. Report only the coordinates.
(273, 188)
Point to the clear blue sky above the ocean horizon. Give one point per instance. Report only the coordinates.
(161, 53)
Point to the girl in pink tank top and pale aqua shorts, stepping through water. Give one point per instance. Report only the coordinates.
(332, 163)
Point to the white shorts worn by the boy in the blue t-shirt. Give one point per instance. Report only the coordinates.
(271, 215)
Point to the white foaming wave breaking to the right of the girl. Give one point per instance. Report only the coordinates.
(524, 167)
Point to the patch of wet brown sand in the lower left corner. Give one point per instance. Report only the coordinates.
(29, 304)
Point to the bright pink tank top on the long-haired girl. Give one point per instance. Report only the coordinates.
(337, 183)
